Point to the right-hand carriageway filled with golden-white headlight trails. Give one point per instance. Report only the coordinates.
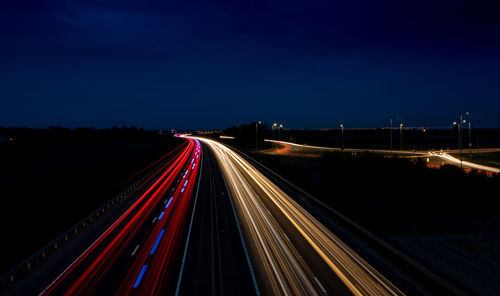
(291, 252)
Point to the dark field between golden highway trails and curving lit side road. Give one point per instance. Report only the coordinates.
(396, 196)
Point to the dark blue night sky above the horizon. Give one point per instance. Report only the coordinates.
(212, 64)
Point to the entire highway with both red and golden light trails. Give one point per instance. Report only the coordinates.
(207, 223)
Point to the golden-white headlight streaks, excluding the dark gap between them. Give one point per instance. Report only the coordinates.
(286, 270)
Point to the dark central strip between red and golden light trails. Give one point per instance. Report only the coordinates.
(215, 259)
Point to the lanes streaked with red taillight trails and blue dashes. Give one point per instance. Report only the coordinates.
(136, 252)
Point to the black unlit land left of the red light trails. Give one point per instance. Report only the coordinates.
(53, 178)
